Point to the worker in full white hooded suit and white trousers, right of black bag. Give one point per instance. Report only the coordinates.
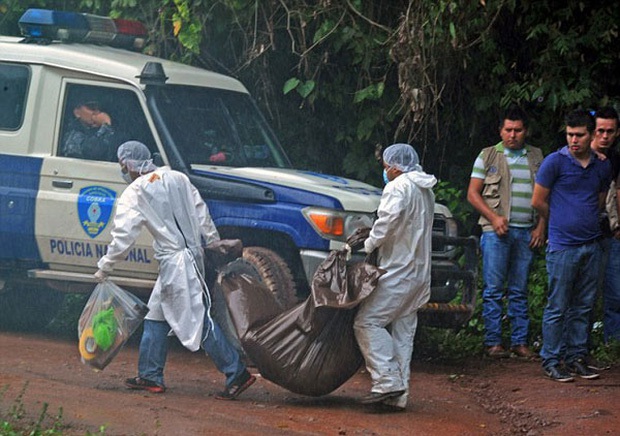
(386, 321)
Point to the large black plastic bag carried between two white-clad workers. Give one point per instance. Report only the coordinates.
(311, 348)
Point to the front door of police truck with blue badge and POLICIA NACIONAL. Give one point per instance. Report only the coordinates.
(81, 181)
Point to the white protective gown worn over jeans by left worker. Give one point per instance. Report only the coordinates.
(174, 213)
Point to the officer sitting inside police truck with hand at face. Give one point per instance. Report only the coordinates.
(90, 134)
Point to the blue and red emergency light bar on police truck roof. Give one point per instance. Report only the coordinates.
(44, 25)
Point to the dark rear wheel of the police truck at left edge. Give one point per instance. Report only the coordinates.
(28, 309)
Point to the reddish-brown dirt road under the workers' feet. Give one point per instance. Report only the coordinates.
(480, 397)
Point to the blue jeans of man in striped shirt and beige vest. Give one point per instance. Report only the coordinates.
(505, 265)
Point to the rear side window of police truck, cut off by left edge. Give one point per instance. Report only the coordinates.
(14, 81)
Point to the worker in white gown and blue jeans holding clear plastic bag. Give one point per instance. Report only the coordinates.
(170, 207)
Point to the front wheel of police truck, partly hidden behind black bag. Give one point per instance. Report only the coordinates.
(274, 273)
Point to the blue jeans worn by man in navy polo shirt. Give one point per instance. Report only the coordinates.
(573, 277)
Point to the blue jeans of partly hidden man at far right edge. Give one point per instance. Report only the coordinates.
(611, 293)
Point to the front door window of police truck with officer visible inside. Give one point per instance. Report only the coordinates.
(96, 120)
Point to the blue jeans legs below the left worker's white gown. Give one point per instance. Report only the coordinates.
(154, 350)
